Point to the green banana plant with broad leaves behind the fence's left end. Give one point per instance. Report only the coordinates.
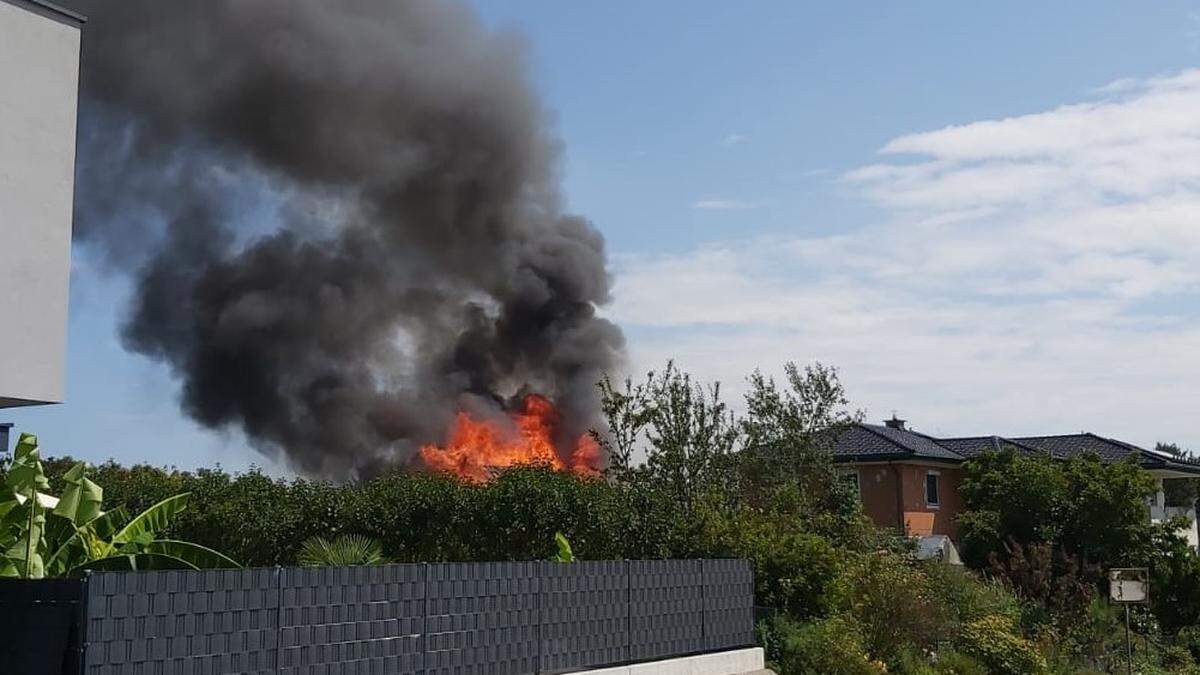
(46, 536)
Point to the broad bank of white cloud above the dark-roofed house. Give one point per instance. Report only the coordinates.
(1030, 274)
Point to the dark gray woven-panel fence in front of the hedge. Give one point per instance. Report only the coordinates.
(437, 619)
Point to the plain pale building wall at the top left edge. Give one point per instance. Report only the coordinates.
(39, 93)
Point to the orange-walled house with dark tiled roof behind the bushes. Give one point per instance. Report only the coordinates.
(910, 481)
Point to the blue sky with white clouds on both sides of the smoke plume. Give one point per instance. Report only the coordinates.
(989, 218)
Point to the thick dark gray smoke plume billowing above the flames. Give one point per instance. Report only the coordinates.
(344, 219)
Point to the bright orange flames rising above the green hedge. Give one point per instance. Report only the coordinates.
(476, 449)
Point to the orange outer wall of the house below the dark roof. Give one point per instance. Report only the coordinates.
(878, 487)
